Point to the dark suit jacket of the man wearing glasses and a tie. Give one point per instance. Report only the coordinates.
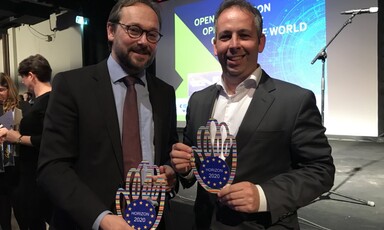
(81, 160)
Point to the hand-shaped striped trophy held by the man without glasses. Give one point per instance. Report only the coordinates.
(214, 145)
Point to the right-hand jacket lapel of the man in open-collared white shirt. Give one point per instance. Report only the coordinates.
(261, 102)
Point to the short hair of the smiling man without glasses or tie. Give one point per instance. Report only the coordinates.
(245, 5)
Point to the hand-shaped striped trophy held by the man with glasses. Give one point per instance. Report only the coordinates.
(141, 203)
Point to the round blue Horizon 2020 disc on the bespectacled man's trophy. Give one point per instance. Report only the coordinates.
(140, 214)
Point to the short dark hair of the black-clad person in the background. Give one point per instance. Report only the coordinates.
(38, 65)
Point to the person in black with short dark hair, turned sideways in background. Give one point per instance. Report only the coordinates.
(35, 73)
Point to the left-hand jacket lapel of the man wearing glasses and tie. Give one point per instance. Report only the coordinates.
(107, 103)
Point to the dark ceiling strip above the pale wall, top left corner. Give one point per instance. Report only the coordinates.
(14, 13)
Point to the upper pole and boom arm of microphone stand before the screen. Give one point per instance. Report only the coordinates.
(322, 55)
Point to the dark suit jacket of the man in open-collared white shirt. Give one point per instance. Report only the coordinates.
(281, 146)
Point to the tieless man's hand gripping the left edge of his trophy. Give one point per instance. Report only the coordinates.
(181, 155)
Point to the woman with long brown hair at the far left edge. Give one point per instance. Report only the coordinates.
(9, 172)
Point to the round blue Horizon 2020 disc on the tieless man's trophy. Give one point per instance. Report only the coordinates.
(214, 172)
